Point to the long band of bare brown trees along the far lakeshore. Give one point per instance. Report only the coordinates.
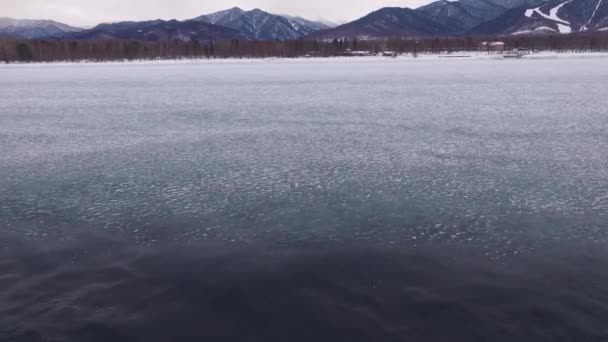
(17, 50)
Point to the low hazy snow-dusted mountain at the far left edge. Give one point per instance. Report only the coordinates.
(28, 28)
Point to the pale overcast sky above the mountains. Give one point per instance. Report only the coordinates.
(91, 12)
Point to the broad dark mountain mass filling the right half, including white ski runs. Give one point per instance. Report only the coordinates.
(487, 17)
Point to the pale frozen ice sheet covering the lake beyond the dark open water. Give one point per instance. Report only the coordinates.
(504, 154)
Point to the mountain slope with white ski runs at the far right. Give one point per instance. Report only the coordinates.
(555, 17)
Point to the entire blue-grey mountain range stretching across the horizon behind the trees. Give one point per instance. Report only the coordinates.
(439, 18)
